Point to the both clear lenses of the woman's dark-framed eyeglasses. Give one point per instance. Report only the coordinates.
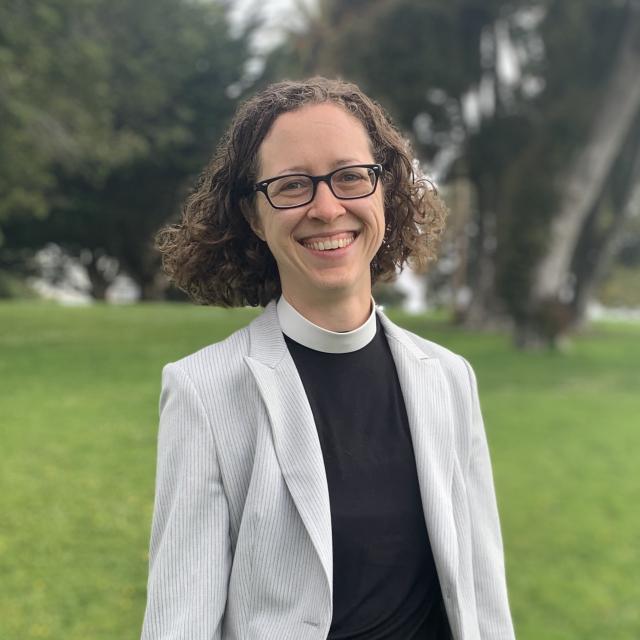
(294, 190)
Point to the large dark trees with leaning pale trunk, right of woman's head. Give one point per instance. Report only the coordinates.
(518, 98)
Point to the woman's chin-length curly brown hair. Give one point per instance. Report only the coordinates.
(213, 254)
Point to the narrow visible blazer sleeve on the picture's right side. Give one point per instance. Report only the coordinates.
(494, 616)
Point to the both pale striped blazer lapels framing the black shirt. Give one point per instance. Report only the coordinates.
(429, 410)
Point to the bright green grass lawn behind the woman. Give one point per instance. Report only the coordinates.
(78, 419)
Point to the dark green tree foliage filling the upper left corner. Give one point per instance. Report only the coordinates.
(120, 103)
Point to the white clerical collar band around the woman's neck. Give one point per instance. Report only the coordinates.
(310, 335)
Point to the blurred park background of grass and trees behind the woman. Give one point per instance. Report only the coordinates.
(525, 113)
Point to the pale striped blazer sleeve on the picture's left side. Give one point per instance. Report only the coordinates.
(189, 557)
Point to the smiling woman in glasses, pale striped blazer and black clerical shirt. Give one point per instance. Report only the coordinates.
(322, 473)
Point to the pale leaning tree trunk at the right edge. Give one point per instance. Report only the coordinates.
(572, 257)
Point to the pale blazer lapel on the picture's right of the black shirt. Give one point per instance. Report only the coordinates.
(426, 397)
